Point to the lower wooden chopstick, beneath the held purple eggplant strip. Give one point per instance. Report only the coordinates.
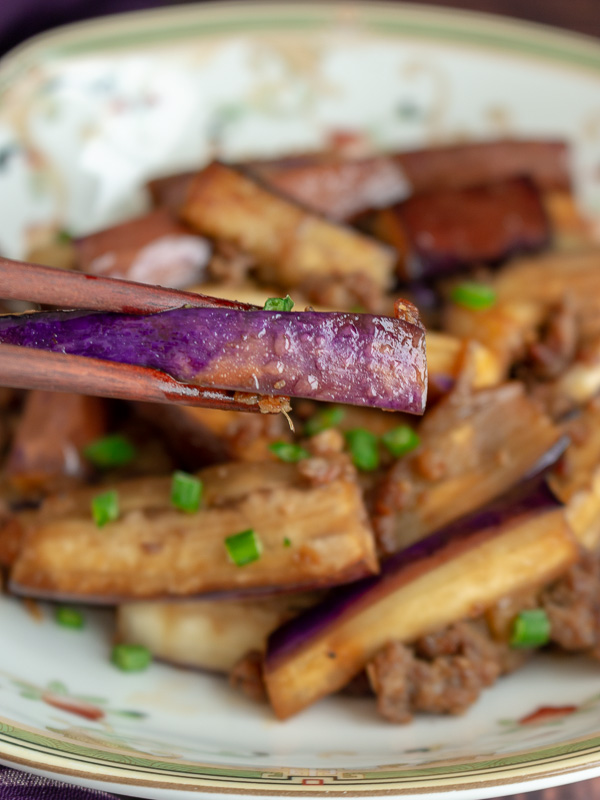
(27, 368)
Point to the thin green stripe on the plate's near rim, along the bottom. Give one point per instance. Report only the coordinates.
(99, 756)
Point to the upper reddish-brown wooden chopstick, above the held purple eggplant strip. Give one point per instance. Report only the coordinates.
(66, 289)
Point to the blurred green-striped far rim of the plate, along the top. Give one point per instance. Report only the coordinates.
(229, 18)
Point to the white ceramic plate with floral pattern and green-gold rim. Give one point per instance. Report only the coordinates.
(86, 115)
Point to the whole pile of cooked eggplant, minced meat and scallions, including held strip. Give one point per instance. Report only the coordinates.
(365, 549)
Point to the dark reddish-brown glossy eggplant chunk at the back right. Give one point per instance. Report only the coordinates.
(446, 231)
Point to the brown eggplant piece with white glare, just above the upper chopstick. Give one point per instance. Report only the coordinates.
(155, 248)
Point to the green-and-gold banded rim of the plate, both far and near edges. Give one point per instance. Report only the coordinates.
(541, 42)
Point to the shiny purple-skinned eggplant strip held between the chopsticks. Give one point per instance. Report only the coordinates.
(357, 359)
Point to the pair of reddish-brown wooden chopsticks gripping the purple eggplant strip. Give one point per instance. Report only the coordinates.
(27, 368)
